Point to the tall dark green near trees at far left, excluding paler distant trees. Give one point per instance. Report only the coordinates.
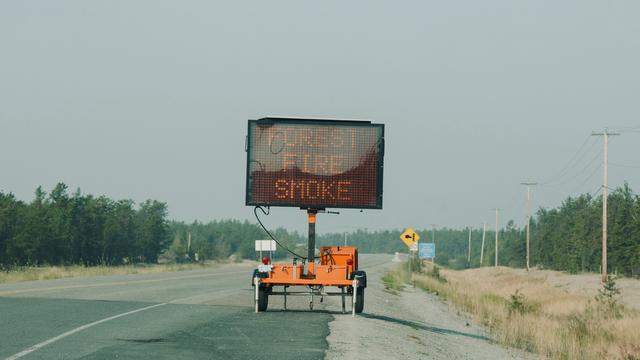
(61, 228)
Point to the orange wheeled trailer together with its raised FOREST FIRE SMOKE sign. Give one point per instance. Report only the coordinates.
(313, 164)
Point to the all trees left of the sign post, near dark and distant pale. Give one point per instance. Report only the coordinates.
(59, 230)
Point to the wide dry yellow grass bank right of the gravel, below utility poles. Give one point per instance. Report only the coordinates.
(528, 313)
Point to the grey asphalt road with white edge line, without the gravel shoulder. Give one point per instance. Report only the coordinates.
(192, 314)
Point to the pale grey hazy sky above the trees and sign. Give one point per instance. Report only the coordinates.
(150, 99)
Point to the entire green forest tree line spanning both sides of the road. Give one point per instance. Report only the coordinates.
(59, 228)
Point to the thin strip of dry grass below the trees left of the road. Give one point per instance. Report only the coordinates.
(18, 274)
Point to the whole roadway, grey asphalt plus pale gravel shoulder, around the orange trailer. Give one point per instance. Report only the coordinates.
(208, 314)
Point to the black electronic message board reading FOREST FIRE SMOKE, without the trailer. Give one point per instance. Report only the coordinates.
(314, 164)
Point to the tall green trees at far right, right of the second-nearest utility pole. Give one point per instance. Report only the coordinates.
(569, 237)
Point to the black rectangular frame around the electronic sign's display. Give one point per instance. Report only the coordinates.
(249, 201)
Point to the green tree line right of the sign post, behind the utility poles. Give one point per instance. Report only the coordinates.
(566, 238)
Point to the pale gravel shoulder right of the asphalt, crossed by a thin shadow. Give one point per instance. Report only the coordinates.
(410, 324)
